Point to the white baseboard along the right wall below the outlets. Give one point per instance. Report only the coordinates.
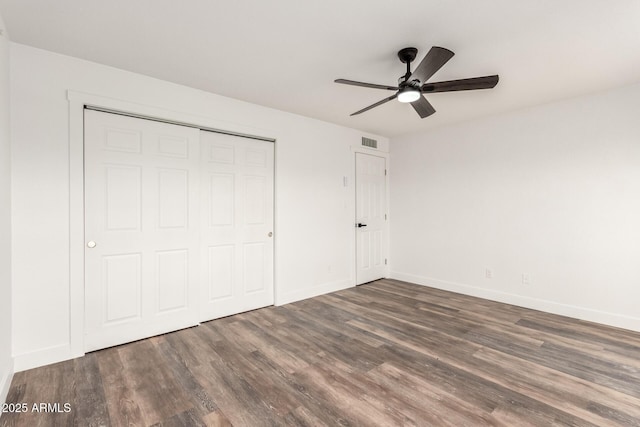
(603, 317)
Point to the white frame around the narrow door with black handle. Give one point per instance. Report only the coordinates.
(354, 244)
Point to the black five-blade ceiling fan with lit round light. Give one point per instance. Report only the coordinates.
(412, 86)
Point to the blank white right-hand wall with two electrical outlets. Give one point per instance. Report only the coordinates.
(551, 191)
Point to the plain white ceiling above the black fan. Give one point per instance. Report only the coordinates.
(285, 54)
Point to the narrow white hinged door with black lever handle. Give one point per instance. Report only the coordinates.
(371, 217)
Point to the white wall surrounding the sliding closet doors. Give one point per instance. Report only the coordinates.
(314, 212)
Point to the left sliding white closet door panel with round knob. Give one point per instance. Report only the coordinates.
(141, 228)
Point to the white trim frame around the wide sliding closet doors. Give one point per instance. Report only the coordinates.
(77, 102)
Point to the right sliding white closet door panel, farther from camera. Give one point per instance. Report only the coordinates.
(237, 225)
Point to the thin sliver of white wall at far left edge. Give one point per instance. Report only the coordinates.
(6, 361)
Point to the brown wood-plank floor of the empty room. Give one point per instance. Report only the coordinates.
(382, 354)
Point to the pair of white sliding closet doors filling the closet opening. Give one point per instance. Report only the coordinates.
(178, 227)
